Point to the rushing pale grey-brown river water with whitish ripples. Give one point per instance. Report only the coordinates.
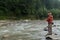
(25, 30)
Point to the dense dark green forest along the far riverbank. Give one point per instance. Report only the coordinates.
(29, 9)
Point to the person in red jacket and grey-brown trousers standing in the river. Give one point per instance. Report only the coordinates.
(50, 22)
